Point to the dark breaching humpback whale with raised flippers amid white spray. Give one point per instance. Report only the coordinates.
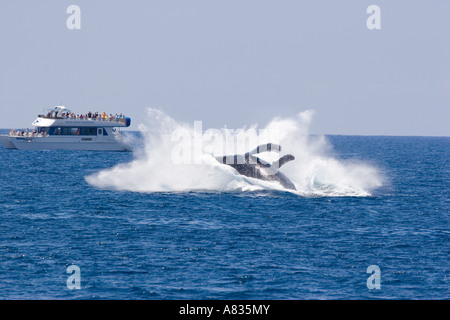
(254, 167)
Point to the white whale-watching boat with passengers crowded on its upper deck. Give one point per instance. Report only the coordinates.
(61, 129)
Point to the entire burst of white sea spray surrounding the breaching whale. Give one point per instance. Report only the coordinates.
(179, 157)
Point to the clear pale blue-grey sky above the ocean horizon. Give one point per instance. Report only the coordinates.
(232, 63)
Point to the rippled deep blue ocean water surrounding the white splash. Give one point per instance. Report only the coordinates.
(264, 244)
